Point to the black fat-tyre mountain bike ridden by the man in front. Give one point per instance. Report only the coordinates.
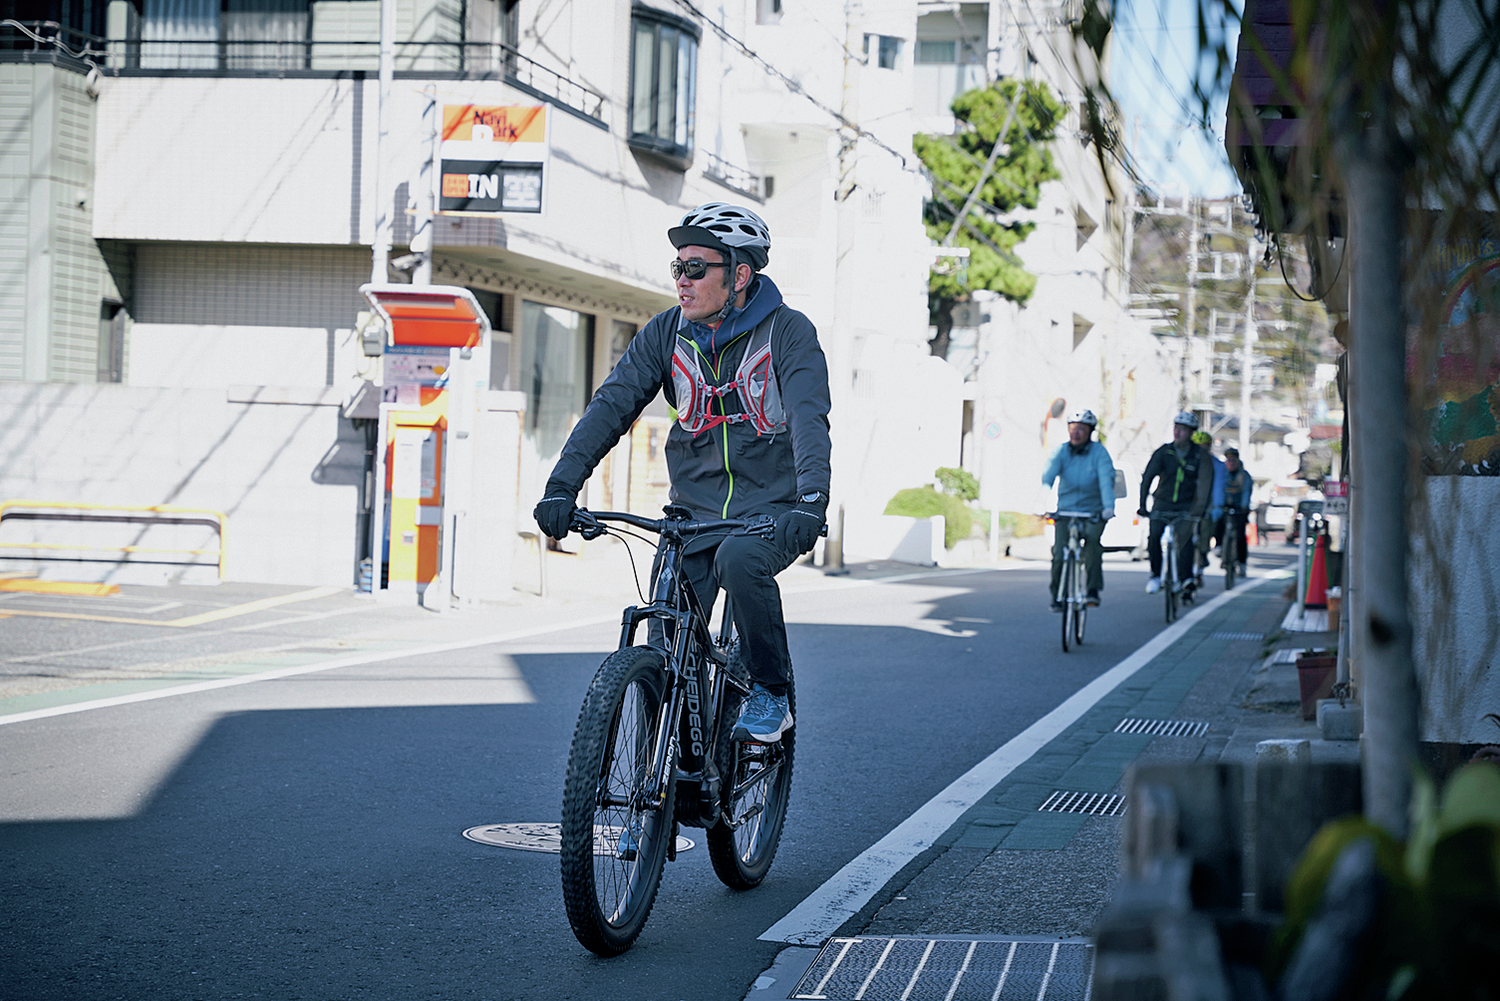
(653, 751)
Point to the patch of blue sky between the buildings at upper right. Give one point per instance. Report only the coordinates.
(1151, 79)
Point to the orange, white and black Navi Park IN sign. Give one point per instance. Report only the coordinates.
(493, 160)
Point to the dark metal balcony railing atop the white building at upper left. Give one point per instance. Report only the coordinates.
(47, 41)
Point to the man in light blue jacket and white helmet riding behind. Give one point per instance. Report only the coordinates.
(1085, 476)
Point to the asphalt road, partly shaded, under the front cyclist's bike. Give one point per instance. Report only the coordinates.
(302, 838)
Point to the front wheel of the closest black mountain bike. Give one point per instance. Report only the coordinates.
(616, 831)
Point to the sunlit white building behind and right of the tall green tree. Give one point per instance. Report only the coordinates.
(1073, 346)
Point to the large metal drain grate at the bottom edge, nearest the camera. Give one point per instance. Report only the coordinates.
(947, 970)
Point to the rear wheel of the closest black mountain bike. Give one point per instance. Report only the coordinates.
(757, 790)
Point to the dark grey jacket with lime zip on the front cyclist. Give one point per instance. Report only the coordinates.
(730, 470)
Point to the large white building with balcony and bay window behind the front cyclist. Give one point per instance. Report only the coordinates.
(202, 214)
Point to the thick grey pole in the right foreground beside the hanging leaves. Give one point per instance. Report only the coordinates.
(1381, 628)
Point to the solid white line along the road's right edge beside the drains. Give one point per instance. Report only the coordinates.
(841, 898)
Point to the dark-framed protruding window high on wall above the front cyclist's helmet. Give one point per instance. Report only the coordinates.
(664, 83)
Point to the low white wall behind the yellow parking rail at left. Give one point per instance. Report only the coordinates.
(286, 476)
